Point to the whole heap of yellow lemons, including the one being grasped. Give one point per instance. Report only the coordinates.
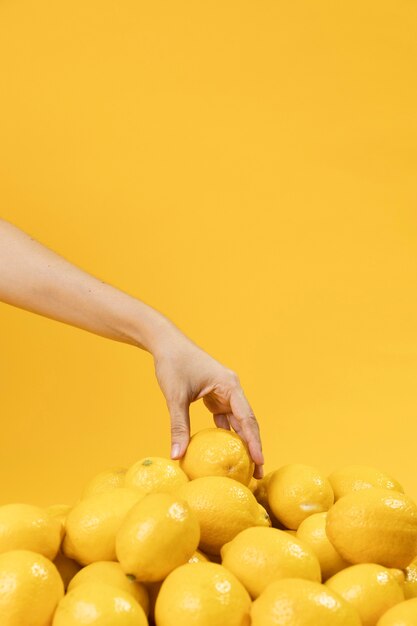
(202, 543)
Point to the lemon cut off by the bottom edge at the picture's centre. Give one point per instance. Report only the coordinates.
(206, 594)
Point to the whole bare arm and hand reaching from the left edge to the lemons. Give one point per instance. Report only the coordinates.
(35, 278)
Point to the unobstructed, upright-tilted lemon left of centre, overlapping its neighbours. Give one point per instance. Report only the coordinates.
(160, 533)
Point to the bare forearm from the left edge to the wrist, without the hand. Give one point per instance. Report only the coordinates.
(37, 279)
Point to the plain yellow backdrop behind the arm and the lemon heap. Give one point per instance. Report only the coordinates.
(248, 168)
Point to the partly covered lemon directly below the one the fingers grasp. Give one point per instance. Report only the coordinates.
(223, 507)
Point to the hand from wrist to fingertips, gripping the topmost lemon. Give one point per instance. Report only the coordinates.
(186, 373)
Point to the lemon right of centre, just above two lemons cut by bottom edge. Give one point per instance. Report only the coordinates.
(257, 556)
